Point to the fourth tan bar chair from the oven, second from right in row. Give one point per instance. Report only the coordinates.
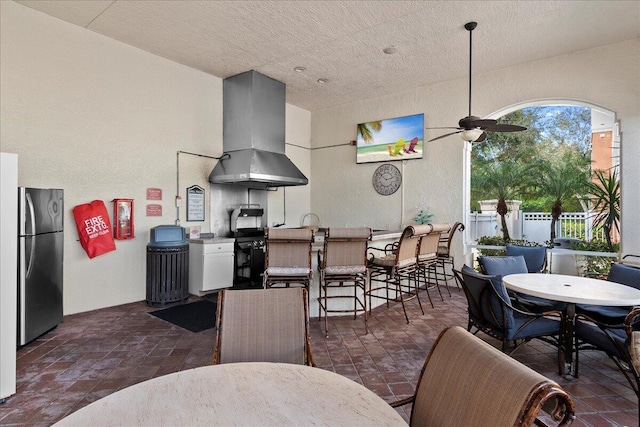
(428, 256)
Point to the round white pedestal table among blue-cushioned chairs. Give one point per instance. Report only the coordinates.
(572, 290)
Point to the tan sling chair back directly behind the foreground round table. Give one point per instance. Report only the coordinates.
(263, 325)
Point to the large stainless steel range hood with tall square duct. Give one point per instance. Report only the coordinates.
(253, 114)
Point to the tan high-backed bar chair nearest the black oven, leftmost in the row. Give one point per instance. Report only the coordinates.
(288, 257)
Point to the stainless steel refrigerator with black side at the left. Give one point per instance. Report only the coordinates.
(40, 255)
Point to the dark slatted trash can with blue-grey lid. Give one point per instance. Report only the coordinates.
(167, 265)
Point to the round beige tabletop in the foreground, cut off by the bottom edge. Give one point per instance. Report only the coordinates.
(241, 394)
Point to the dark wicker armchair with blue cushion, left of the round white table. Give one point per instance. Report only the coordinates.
(491, 311)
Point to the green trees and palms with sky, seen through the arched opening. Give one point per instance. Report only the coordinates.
(546, 166)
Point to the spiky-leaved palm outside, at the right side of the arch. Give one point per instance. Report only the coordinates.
(606, 202)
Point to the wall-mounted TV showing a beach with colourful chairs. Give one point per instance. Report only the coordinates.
(399, 138)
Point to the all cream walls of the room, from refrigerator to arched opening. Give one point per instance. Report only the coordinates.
(104, 120)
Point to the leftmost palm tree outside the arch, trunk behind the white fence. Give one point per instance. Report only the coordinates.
(503, 181)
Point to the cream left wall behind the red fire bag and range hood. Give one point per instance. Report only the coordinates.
(104, 120)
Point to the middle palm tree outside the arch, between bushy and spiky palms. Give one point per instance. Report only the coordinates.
(563, 177)
